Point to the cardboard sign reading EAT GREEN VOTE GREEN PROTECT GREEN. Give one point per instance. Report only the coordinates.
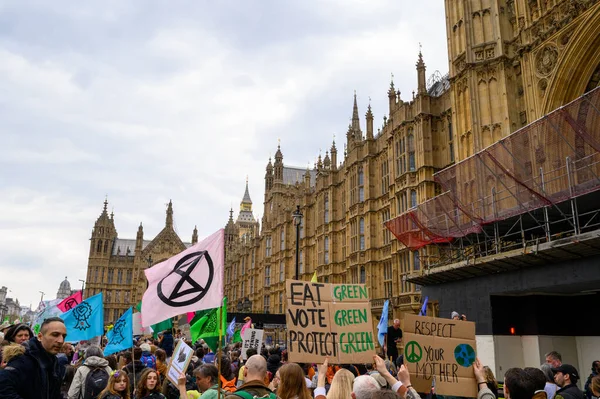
(329, 320)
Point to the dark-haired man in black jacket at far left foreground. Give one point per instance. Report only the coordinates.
(36, 373)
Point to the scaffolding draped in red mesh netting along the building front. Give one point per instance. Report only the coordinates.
(538, 184)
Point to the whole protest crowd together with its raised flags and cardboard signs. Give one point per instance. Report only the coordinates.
(69, 352)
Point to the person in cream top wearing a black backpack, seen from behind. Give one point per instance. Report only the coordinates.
(92, 376)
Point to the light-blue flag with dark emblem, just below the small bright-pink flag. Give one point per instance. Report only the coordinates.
(86, 320)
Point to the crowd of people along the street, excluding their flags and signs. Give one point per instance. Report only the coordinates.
(46, 366)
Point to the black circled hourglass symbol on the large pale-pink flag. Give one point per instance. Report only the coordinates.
(182, 281)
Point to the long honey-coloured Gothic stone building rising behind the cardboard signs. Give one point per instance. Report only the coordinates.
(510, 63)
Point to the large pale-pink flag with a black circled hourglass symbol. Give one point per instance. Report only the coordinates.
(187, 282)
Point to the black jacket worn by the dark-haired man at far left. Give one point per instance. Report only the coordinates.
(34, 375)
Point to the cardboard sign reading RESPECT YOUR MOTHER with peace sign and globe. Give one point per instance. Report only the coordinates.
(441, 352)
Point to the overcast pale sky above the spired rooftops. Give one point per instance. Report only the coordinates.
(146, 101)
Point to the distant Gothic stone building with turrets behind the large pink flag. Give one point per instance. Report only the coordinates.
(116, 265)
